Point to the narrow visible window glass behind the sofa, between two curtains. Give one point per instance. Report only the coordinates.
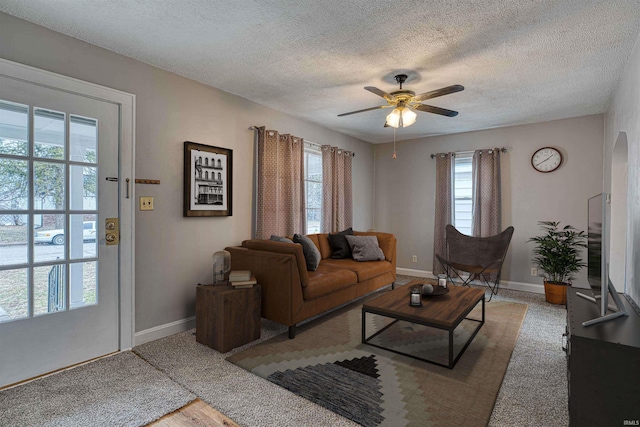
(313, 190)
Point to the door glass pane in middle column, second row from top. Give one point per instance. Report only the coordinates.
(48, 186)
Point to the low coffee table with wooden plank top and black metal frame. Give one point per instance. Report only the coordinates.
(444, 312)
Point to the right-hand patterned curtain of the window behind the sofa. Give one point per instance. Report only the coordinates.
(337, 199)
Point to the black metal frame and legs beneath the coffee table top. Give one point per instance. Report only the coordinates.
(398, 317)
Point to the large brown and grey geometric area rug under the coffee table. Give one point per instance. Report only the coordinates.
(327, 364)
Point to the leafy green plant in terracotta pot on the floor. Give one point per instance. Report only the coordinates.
(557, 253)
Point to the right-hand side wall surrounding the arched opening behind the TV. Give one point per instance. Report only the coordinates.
(623, 121)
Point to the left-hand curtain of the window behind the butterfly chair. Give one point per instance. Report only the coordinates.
(444, 207)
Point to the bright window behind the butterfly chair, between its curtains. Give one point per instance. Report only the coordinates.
(463, 193)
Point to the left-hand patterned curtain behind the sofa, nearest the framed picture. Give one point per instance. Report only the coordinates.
(280, 173)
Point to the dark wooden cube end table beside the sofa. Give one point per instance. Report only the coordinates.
(226, 317)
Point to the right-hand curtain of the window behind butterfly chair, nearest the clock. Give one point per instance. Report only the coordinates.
(487, 200)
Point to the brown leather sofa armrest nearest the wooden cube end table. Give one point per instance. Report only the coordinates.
(278, 275)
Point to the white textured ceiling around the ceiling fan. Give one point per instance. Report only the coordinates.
(521, 61)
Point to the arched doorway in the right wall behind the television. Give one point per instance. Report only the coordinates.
(619, 202)
